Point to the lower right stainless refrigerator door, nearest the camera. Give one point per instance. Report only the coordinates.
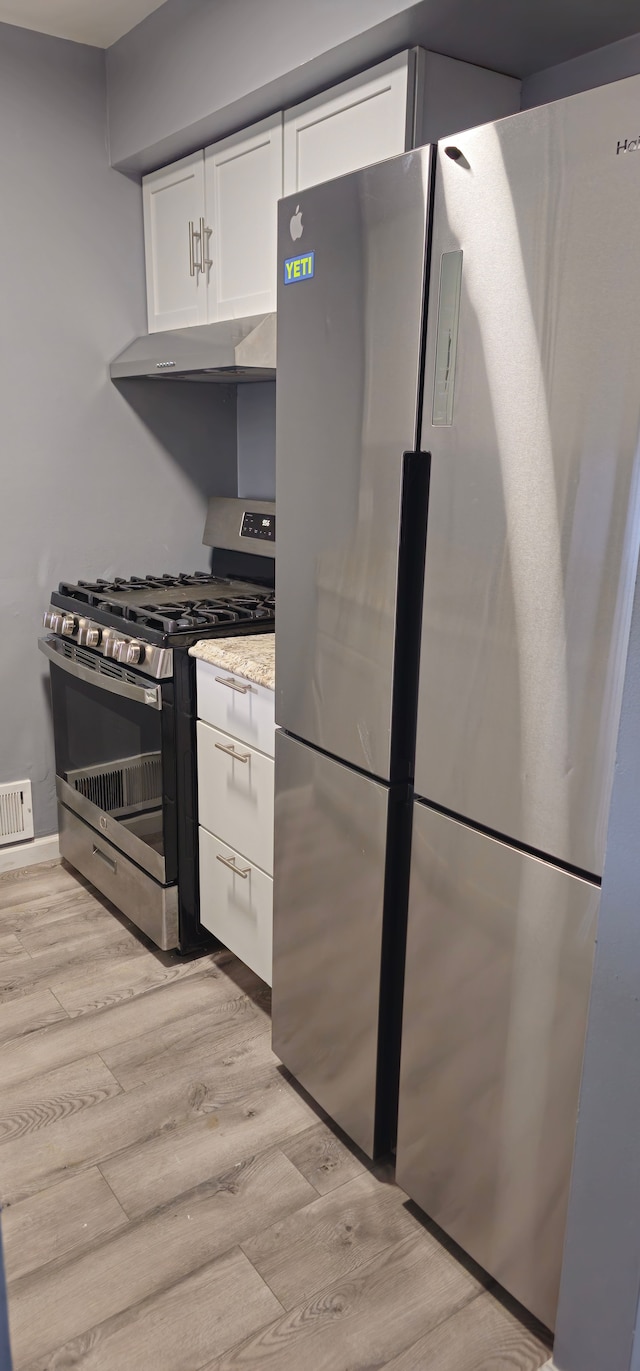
(500, 960)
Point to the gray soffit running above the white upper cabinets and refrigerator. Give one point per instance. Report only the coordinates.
(195, 71)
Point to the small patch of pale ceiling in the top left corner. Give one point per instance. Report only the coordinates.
(98, 23)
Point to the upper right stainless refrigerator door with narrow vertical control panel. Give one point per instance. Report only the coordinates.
(532, 416)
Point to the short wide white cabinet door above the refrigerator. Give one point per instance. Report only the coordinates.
(361, 121)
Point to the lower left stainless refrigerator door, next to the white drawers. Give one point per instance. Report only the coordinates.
(330, 878)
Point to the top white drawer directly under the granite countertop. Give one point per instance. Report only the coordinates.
(238, 707)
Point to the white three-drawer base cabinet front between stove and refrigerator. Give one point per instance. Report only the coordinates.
(235, 799)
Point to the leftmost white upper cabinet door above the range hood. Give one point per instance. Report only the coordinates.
(173, 201)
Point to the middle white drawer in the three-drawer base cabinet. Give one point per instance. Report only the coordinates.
(235, 794)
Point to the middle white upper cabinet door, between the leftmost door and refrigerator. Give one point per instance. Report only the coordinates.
(243, 184)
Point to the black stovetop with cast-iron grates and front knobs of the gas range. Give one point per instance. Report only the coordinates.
(139, 622)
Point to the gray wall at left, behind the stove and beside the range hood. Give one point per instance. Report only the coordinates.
(87, 489)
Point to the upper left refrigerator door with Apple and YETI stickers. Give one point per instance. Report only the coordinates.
(349, 387)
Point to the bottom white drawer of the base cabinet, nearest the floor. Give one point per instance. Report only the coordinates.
(236, 906)
